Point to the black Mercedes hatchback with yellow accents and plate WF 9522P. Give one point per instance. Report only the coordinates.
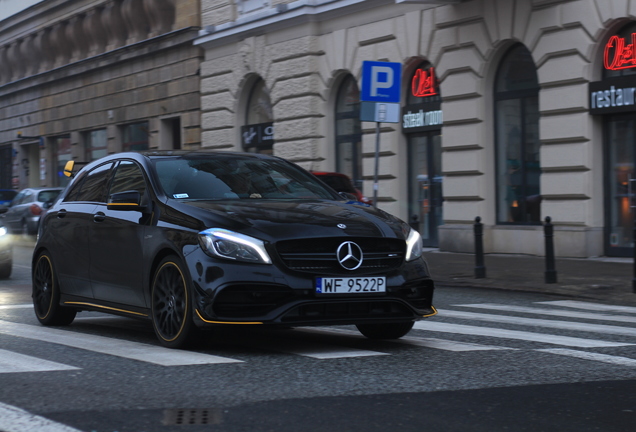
(202, 239)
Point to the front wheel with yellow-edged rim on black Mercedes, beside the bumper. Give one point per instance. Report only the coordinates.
(171, 305)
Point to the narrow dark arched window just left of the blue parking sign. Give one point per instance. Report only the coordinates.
(349, 131)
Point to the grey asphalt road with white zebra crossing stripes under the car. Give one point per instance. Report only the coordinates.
(490, 361)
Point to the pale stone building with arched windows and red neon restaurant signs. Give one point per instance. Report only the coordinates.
(510, 109)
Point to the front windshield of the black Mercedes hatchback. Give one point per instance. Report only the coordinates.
(234, 177)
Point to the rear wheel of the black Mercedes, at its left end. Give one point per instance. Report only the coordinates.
(46, 294)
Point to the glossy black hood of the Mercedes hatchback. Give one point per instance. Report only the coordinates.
(273, 220)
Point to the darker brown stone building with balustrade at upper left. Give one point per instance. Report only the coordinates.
(86, 78)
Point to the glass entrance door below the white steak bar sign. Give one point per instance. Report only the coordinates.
(425, 185)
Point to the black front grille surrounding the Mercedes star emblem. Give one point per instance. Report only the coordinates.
(320, 255)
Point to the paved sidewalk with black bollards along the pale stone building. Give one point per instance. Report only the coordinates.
(599, 279)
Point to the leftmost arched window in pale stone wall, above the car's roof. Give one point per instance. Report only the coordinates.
(258, 132)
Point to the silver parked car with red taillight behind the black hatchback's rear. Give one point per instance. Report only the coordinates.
(23, 215)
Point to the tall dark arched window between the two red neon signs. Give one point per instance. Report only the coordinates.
(517, 138)
